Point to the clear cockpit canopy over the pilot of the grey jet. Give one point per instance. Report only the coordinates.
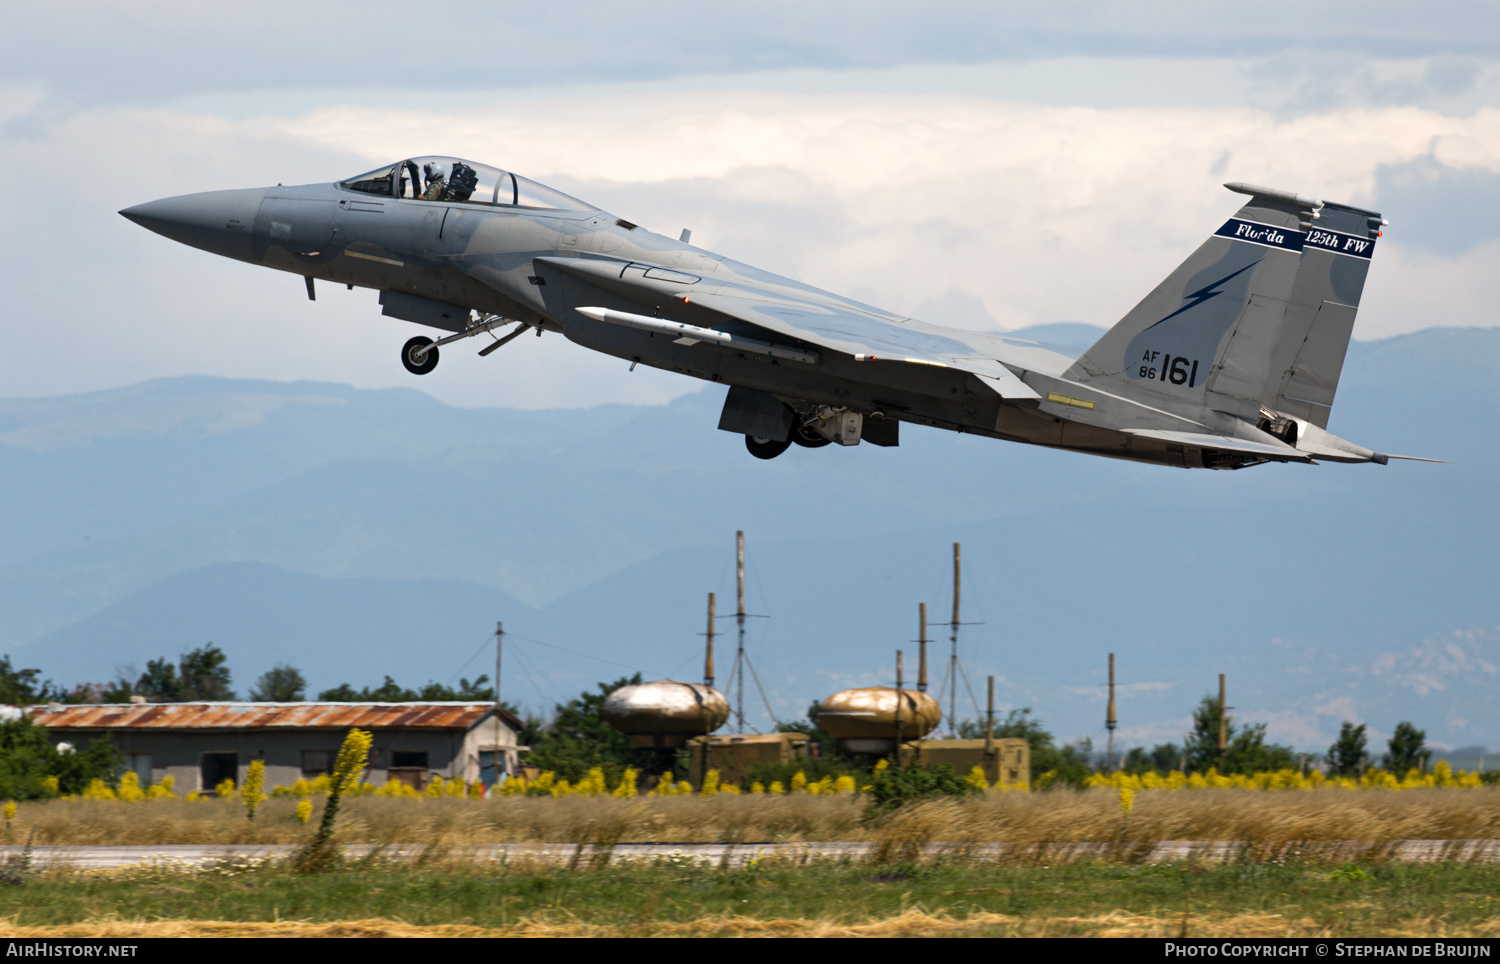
(455, 181)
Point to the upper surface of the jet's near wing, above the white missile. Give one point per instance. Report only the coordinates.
(806, 316)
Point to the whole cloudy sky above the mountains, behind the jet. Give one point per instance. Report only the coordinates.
(985, 166)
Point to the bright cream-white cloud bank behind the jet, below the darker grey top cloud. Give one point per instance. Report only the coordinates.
(1033, 214)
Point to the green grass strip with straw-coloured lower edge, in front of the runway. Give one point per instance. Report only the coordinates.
(676, 897)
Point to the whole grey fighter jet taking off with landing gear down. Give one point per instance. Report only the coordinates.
(1231, 362)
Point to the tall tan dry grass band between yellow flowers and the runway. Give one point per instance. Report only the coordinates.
(1019, 818)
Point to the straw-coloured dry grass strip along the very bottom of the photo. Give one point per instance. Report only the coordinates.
(910, 924)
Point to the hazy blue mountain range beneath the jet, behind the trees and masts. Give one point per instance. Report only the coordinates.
(368, 533)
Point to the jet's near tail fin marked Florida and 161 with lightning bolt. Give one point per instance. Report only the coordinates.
(1207, 337)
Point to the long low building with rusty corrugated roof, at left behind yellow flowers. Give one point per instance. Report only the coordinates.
(203, 744)
